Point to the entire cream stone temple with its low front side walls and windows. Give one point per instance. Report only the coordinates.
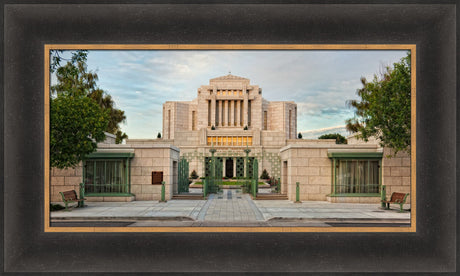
(230, 115)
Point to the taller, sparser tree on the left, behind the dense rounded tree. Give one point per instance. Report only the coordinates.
(74, 79)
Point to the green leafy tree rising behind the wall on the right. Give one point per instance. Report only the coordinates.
(384, 109)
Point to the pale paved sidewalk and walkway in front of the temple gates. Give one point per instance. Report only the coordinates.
(232, 208)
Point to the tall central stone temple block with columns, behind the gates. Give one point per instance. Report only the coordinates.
(230, 114)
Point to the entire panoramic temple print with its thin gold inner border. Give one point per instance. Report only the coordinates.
(230, 139)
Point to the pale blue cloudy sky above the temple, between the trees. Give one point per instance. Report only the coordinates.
(320, 82)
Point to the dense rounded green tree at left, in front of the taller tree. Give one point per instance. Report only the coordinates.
(77, 123)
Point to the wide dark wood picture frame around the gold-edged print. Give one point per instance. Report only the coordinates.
(27, 248)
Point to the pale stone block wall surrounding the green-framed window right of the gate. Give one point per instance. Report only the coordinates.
(309, 164)
